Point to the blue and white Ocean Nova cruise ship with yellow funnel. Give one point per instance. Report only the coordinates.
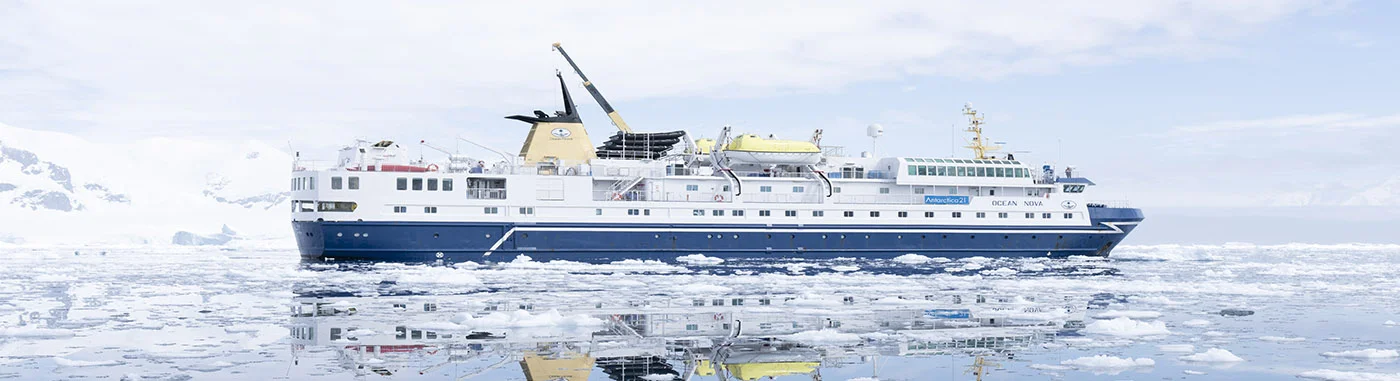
(661, 195)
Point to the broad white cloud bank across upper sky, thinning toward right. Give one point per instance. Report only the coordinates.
(318, 65)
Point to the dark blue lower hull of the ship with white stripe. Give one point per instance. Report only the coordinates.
(416, 242)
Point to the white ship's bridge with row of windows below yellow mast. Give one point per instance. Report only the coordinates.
(960, 172)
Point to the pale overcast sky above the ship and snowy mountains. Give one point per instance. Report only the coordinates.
(1164, 103)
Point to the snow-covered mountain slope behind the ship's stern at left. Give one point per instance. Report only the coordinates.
(65, 190)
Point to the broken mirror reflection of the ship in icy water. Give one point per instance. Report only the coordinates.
(495, 337)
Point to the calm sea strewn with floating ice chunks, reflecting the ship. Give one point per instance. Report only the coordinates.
(1153, 313)
